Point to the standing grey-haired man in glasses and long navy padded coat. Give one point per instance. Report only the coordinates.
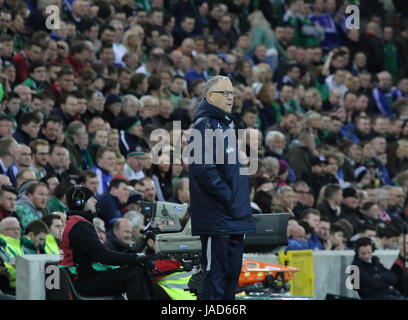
(220, 204)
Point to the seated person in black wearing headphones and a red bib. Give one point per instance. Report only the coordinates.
(91, 263)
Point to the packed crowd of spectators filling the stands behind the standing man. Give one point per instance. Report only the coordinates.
(328, 104)
